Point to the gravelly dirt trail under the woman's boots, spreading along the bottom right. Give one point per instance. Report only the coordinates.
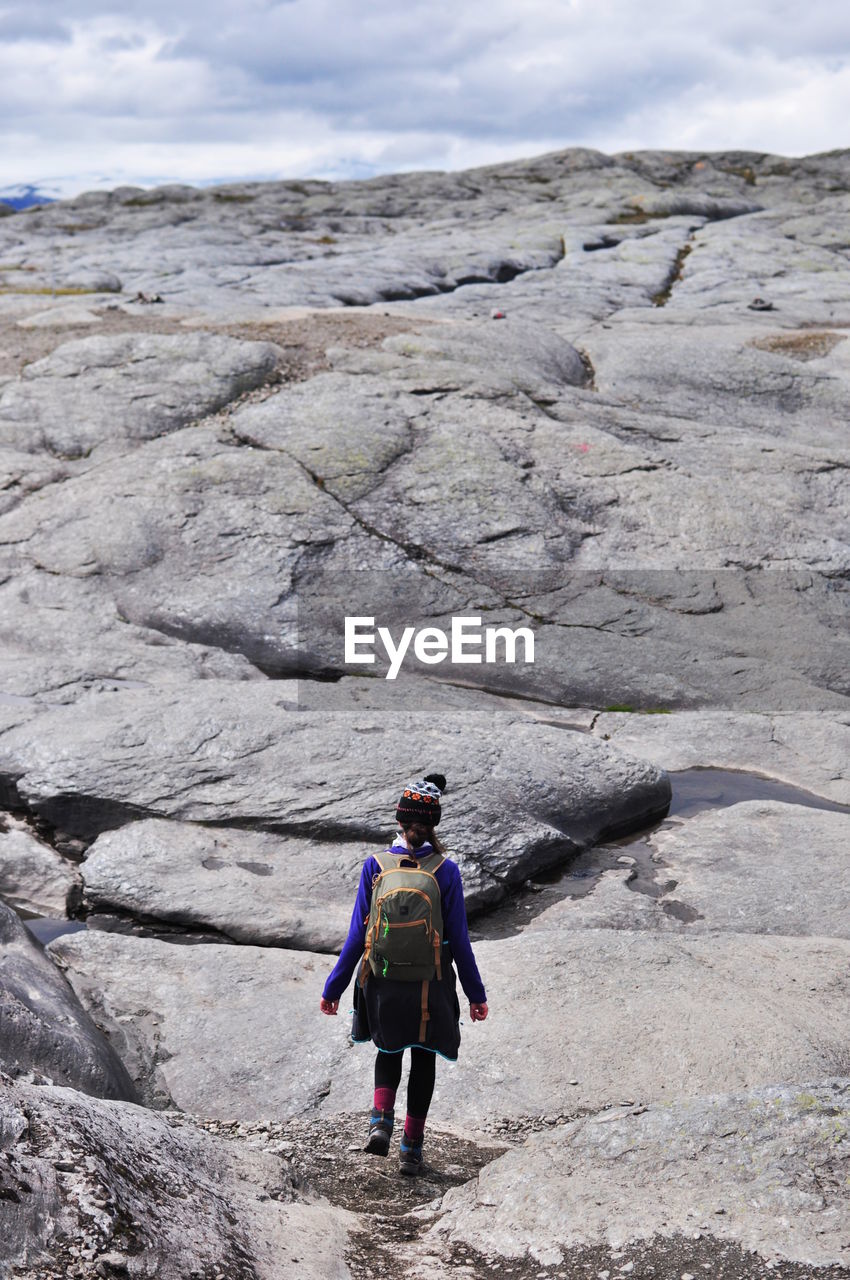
(326, 1154)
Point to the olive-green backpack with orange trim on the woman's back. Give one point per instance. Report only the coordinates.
(405, 924)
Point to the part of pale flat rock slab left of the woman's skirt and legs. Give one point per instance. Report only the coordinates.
(223, 1031)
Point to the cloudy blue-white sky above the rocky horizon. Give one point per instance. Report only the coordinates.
(99, 94)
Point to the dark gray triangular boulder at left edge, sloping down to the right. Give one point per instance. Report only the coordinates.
(43, 1027)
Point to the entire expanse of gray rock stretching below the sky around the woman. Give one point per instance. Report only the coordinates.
(595, 401)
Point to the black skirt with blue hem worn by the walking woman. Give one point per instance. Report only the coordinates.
(390, 1013)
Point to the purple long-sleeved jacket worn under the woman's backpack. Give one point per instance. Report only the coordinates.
(455, 930)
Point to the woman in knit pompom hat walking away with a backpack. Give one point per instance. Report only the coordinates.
(409, 925)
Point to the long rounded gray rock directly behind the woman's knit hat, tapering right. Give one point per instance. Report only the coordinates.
(229, 755)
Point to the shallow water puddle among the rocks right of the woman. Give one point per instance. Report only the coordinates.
(694, 792)
